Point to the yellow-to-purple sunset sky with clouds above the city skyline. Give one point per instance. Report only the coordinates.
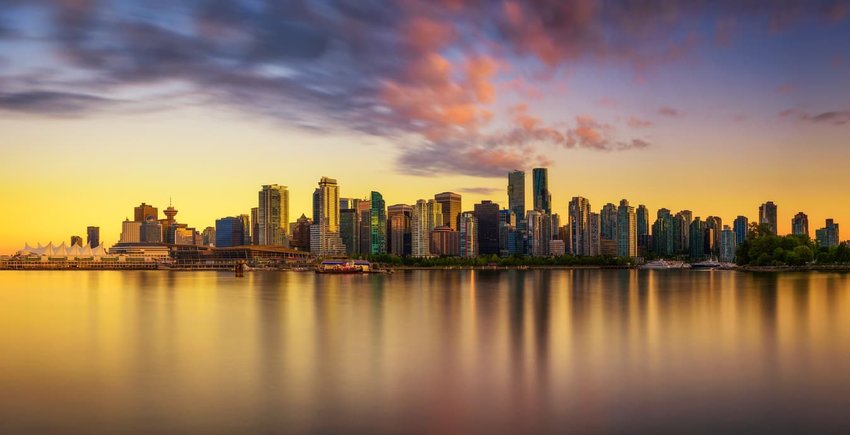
(710, 106)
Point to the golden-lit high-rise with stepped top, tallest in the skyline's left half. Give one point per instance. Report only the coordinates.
(324, 233)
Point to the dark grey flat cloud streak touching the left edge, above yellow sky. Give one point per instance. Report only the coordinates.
(51, 103)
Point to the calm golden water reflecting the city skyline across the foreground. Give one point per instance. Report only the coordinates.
(424, 352)
